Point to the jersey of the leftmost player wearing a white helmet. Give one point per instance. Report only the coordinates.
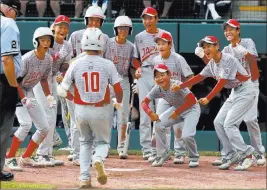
(33, 69)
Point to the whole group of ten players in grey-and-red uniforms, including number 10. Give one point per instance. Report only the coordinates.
(162, 75)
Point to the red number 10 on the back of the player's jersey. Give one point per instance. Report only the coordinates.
(93, 79)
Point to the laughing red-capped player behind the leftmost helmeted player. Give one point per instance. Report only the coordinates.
(61, 54)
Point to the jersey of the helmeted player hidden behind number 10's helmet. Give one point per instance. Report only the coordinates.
(76, 38)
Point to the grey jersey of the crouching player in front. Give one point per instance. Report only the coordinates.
(175, 99)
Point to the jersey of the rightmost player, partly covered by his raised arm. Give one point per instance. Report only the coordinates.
(249, 45)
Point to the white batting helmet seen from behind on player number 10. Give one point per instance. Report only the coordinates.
(93, 39)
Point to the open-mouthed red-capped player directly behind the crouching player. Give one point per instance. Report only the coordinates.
(180, 71)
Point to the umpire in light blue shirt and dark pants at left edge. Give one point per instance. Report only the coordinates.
(9, 72)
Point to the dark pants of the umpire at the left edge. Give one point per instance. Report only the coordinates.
(8, 101)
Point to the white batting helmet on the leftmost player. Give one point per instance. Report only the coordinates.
(42, 31)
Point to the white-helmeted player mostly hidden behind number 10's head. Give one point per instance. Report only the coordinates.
(94, 18)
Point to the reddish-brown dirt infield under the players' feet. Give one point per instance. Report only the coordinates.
(171, 176)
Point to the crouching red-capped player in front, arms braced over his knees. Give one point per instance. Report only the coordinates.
(183, 107)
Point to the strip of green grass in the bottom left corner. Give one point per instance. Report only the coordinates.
(21, 185)
